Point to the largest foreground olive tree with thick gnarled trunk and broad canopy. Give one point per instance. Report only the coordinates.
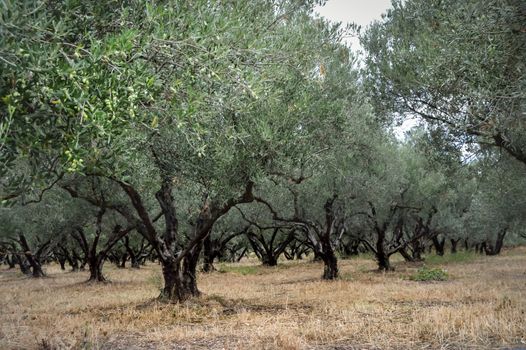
(180, 104)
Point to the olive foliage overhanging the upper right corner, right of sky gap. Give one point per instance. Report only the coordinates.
(457, 64)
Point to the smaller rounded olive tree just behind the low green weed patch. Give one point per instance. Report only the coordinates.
(395, 196)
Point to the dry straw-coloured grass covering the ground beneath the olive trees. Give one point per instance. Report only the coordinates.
(483, 305)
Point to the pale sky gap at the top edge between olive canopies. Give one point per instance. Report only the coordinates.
(361, 12)
